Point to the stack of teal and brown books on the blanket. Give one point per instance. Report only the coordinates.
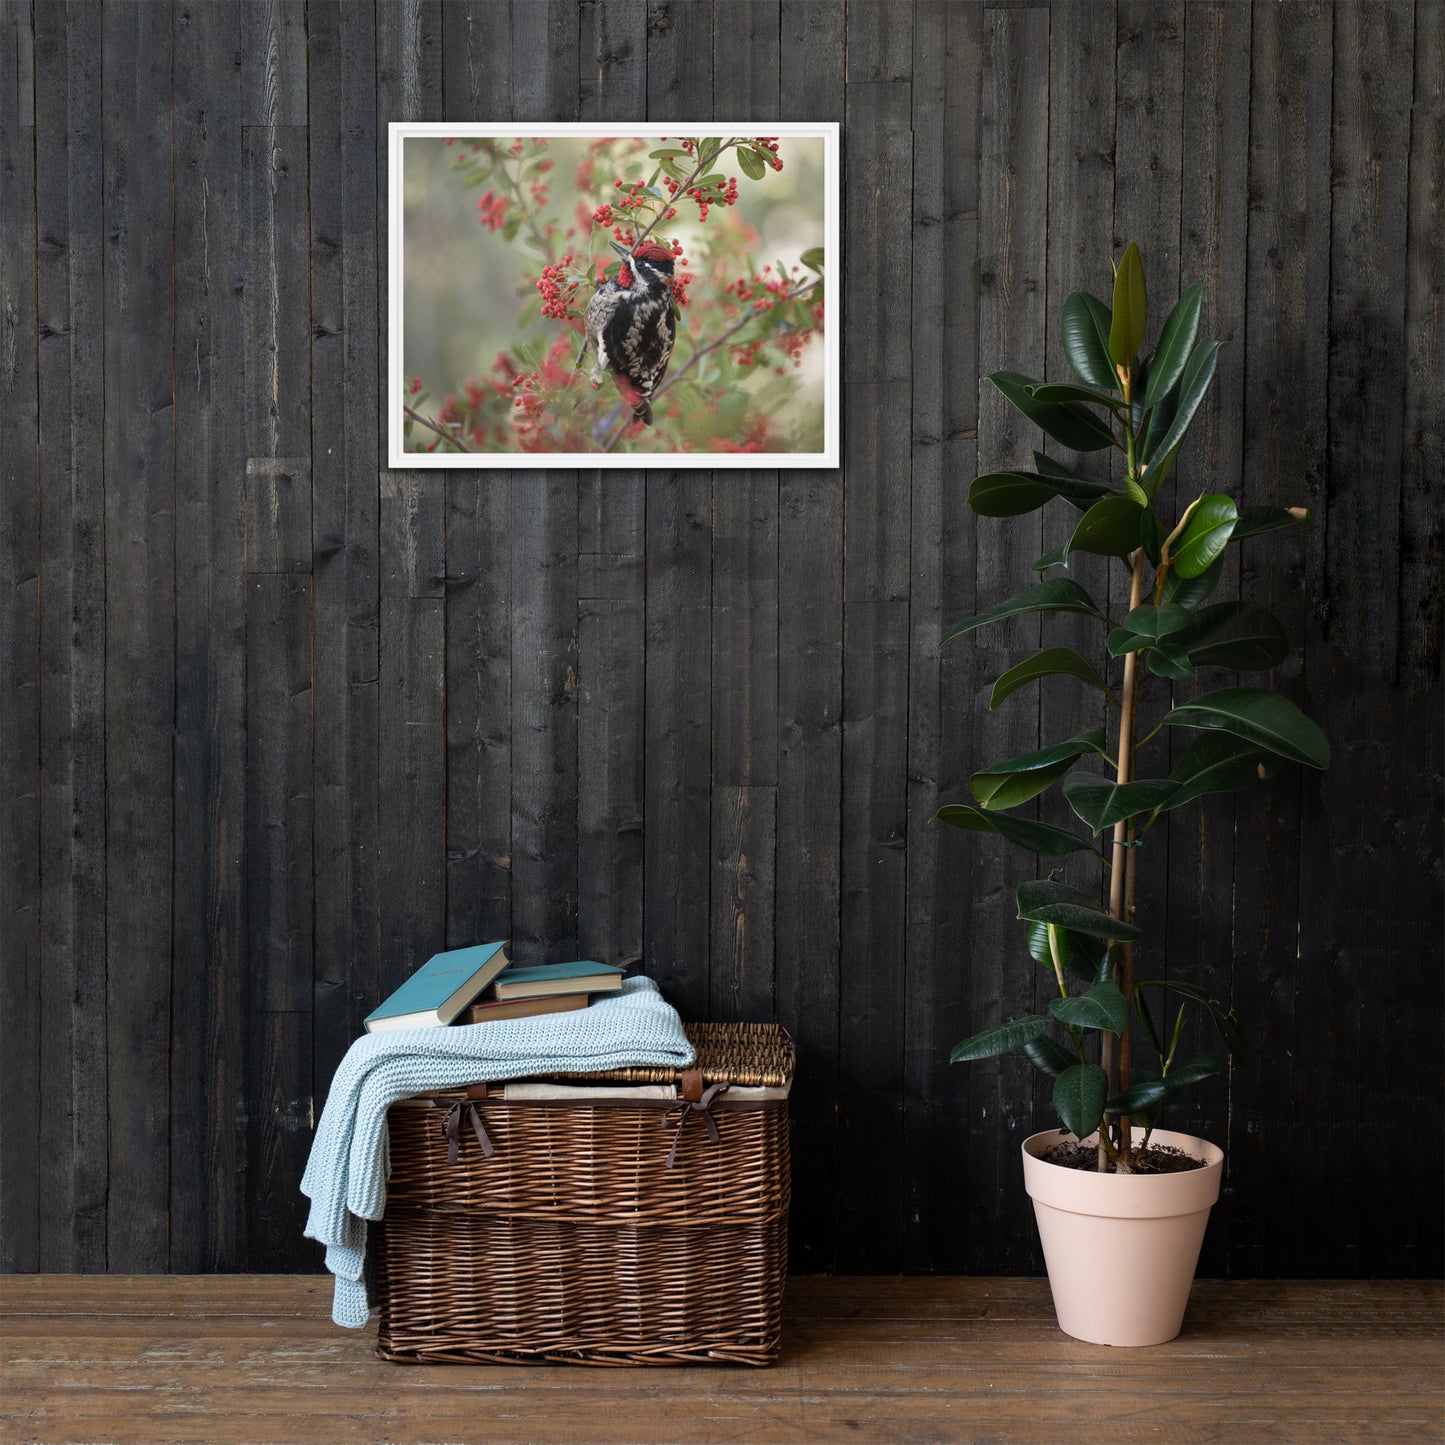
(479, 985)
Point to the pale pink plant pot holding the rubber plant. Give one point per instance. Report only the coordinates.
(1122, 1249)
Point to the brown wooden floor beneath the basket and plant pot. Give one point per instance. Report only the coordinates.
(161, 1360)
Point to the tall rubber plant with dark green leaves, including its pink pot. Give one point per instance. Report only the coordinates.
(1122, 1204)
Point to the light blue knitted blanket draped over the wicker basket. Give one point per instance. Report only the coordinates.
(346, 1174)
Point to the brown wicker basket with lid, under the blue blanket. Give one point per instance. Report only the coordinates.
(629, 1232)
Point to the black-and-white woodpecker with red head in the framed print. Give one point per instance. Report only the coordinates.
(631, 324)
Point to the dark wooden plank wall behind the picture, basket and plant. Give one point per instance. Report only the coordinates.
(278, 722)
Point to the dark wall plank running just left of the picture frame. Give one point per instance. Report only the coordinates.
(346, 296)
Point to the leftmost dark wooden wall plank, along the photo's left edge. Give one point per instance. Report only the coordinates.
(20, 647)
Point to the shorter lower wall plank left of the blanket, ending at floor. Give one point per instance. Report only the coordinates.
(278, 894)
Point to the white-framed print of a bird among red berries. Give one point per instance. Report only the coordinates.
(608, 296)
